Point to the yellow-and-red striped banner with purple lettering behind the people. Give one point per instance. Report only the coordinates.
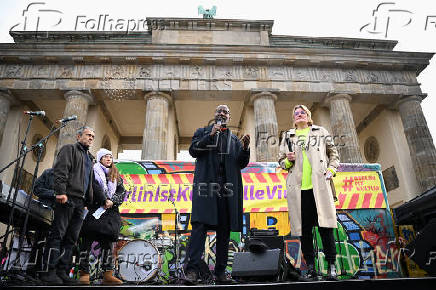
(262, 192)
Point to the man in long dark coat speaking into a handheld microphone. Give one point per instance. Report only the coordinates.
(217, 198)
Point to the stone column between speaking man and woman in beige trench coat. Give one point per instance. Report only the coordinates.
(266, 129)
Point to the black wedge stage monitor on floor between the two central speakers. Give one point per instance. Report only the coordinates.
(265, 266)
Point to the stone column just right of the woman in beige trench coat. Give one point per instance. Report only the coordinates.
(343, 127)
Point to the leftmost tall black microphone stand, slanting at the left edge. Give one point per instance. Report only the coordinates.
(16, 182)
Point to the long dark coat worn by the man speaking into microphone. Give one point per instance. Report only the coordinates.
(204, 201)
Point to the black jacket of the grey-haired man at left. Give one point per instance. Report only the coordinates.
(69, 172)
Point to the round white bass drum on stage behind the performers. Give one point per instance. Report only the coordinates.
(138, 261)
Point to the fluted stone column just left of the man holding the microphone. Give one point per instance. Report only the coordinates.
(155, 137)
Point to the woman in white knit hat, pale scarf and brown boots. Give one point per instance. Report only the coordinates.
(109, 194)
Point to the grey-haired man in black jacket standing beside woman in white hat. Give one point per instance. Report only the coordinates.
(73, 175)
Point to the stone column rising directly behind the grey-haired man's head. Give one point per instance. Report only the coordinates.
(77, 104)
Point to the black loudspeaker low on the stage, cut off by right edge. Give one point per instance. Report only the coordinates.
(423, 249)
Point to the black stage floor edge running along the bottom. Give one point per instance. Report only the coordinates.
(375, 284)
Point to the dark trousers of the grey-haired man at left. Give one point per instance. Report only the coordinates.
(64, 232)
